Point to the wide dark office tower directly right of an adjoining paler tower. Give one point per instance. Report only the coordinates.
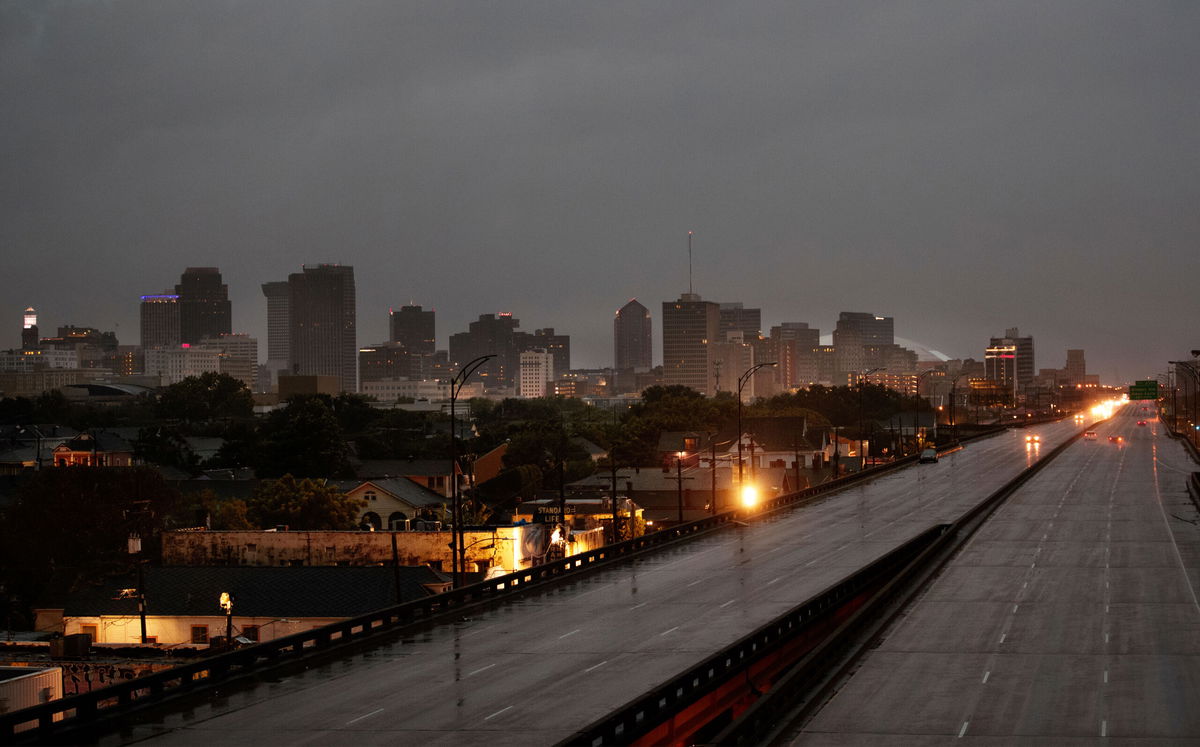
(322, 336)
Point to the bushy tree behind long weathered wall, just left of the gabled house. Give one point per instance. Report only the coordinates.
(303, 505)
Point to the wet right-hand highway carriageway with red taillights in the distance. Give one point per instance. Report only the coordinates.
(1071, 618)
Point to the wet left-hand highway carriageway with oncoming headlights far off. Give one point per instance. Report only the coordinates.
(536, 670)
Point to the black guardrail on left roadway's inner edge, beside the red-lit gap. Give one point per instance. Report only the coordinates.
(649, 712)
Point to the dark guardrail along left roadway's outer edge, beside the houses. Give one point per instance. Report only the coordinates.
(79, 712)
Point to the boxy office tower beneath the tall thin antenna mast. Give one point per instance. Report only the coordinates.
(688, 326)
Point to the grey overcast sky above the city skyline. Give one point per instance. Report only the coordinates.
(964, 168)
